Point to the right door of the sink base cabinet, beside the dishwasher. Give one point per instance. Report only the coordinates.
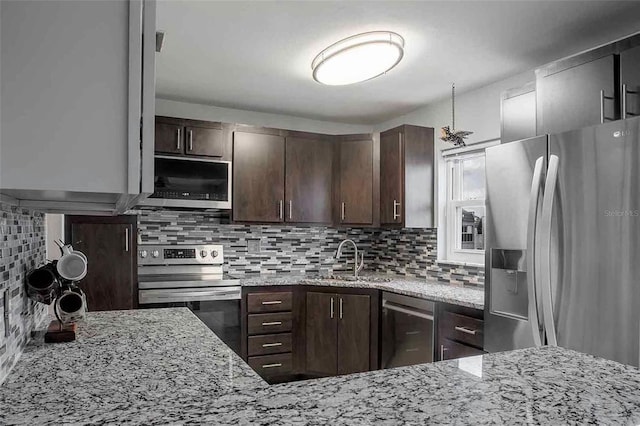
(353, 333)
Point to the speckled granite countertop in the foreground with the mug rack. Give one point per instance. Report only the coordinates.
(160, 366)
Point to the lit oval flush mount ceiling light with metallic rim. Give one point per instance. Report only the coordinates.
(358, 58)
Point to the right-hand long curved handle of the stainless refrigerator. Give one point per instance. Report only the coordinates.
(545, 224)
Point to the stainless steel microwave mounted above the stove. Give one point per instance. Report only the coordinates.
(195, 183)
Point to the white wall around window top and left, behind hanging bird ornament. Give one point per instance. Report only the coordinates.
(477, 111)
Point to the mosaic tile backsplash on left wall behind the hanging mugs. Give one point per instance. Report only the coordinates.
(22, 247)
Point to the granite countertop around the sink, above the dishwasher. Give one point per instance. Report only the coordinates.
(423, 288)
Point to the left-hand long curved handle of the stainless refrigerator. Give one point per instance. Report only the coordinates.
(532, 278)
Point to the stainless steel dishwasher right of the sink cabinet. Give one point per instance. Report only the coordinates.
(407, 330)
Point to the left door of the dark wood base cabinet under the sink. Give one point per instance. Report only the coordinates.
(322, 333)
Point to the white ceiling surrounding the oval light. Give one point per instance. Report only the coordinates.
(257, 55)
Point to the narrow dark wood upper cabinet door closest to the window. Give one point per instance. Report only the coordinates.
(391, 178)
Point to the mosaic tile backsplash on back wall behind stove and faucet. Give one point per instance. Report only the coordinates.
(250, 249)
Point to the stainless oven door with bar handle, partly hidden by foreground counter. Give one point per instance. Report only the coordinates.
(221, 313)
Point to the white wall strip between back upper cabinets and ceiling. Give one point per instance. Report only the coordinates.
(212, 113)
